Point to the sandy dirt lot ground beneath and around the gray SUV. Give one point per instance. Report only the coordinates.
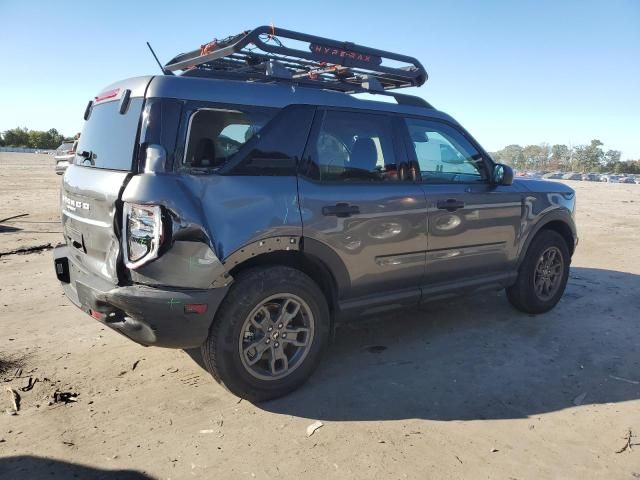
(464, 389)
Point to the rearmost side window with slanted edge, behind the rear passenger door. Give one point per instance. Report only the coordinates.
(216, 135)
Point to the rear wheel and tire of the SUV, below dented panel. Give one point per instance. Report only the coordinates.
(269, 333)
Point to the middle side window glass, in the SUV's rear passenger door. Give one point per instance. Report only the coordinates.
(353, 147)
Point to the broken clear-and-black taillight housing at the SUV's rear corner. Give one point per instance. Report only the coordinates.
(142, 233)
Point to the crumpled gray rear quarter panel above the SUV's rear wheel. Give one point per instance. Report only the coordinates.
(212, 216)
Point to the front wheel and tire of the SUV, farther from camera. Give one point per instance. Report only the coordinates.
(543, 274)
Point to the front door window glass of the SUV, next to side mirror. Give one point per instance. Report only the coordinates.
(444, 154)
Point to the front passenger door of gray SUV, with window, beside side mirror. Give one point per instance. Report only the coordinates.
(472, 225)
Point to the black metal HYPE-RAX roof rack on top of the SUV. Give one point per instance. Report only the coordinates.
(261, 55)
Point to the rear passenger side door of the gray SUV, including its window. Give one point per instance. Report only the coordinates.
(355, 202)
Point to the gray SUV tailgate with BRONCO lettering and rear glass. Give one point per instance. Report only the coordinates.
(92, 185)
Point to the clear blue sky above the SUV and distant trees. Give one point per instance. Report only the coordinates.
(510, 72)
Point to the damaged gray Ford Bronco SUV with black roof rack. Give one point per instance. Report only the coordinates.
(249, 203)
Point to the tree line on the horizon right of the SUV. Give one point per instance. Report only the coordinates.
(581, 158)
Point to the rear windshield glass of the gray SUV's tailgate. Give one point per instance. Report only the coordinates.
(109, 137)
